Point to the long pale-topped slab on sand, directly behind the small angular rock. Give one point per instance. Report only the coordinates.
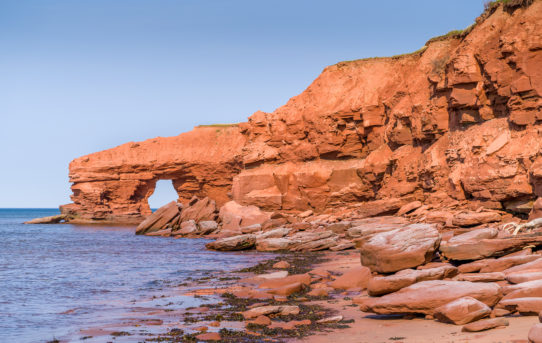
(426, 296)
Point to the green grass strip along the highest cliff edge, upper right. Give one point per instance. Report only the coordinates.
(489, 8)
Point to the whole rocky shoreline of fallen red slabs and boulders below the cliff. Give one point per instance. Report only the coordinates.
(470, 270)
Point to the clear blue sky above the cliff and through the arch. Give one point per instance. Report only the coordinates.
(82, 76)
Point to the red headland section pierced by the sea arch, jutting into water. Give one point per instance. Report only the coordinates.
(114, 185)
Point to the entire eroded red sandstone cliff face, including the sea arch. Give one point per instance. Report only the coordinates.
(459, 121)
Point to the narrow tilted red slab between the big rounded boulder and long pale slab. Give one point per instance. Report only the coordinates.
(380, 285)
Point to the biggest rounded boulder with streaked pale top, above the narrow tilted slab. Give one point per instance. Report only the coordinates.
(402, 248)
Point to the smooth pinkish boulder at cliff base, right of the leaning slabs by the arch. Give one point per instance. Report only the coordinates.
(235, 216)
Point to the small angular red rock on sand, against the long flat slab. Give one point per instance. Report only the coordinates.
(462, 311)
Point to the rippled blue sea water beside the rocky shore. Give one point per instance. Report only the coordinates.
(58, 278)
